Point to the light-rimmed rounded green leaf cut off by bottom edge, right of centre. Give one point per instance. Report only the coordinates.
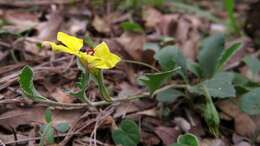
(187, 140)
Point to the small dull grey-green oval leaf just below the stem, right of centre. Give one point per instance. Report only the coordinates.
(169, 95)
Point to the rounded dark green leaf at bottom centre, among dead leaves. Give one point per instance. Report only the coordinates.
(127, 134)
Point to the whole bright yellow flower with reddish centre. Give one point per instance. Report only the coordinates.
(100, 57)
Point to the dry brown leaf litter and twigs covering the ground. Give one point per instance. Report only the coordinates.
(23, 31)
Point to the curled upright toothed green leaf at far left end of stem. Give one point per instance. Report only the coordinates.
(26, 84)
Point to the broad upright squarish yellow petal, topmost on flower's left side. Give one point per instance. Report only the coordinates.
(70, 41)
